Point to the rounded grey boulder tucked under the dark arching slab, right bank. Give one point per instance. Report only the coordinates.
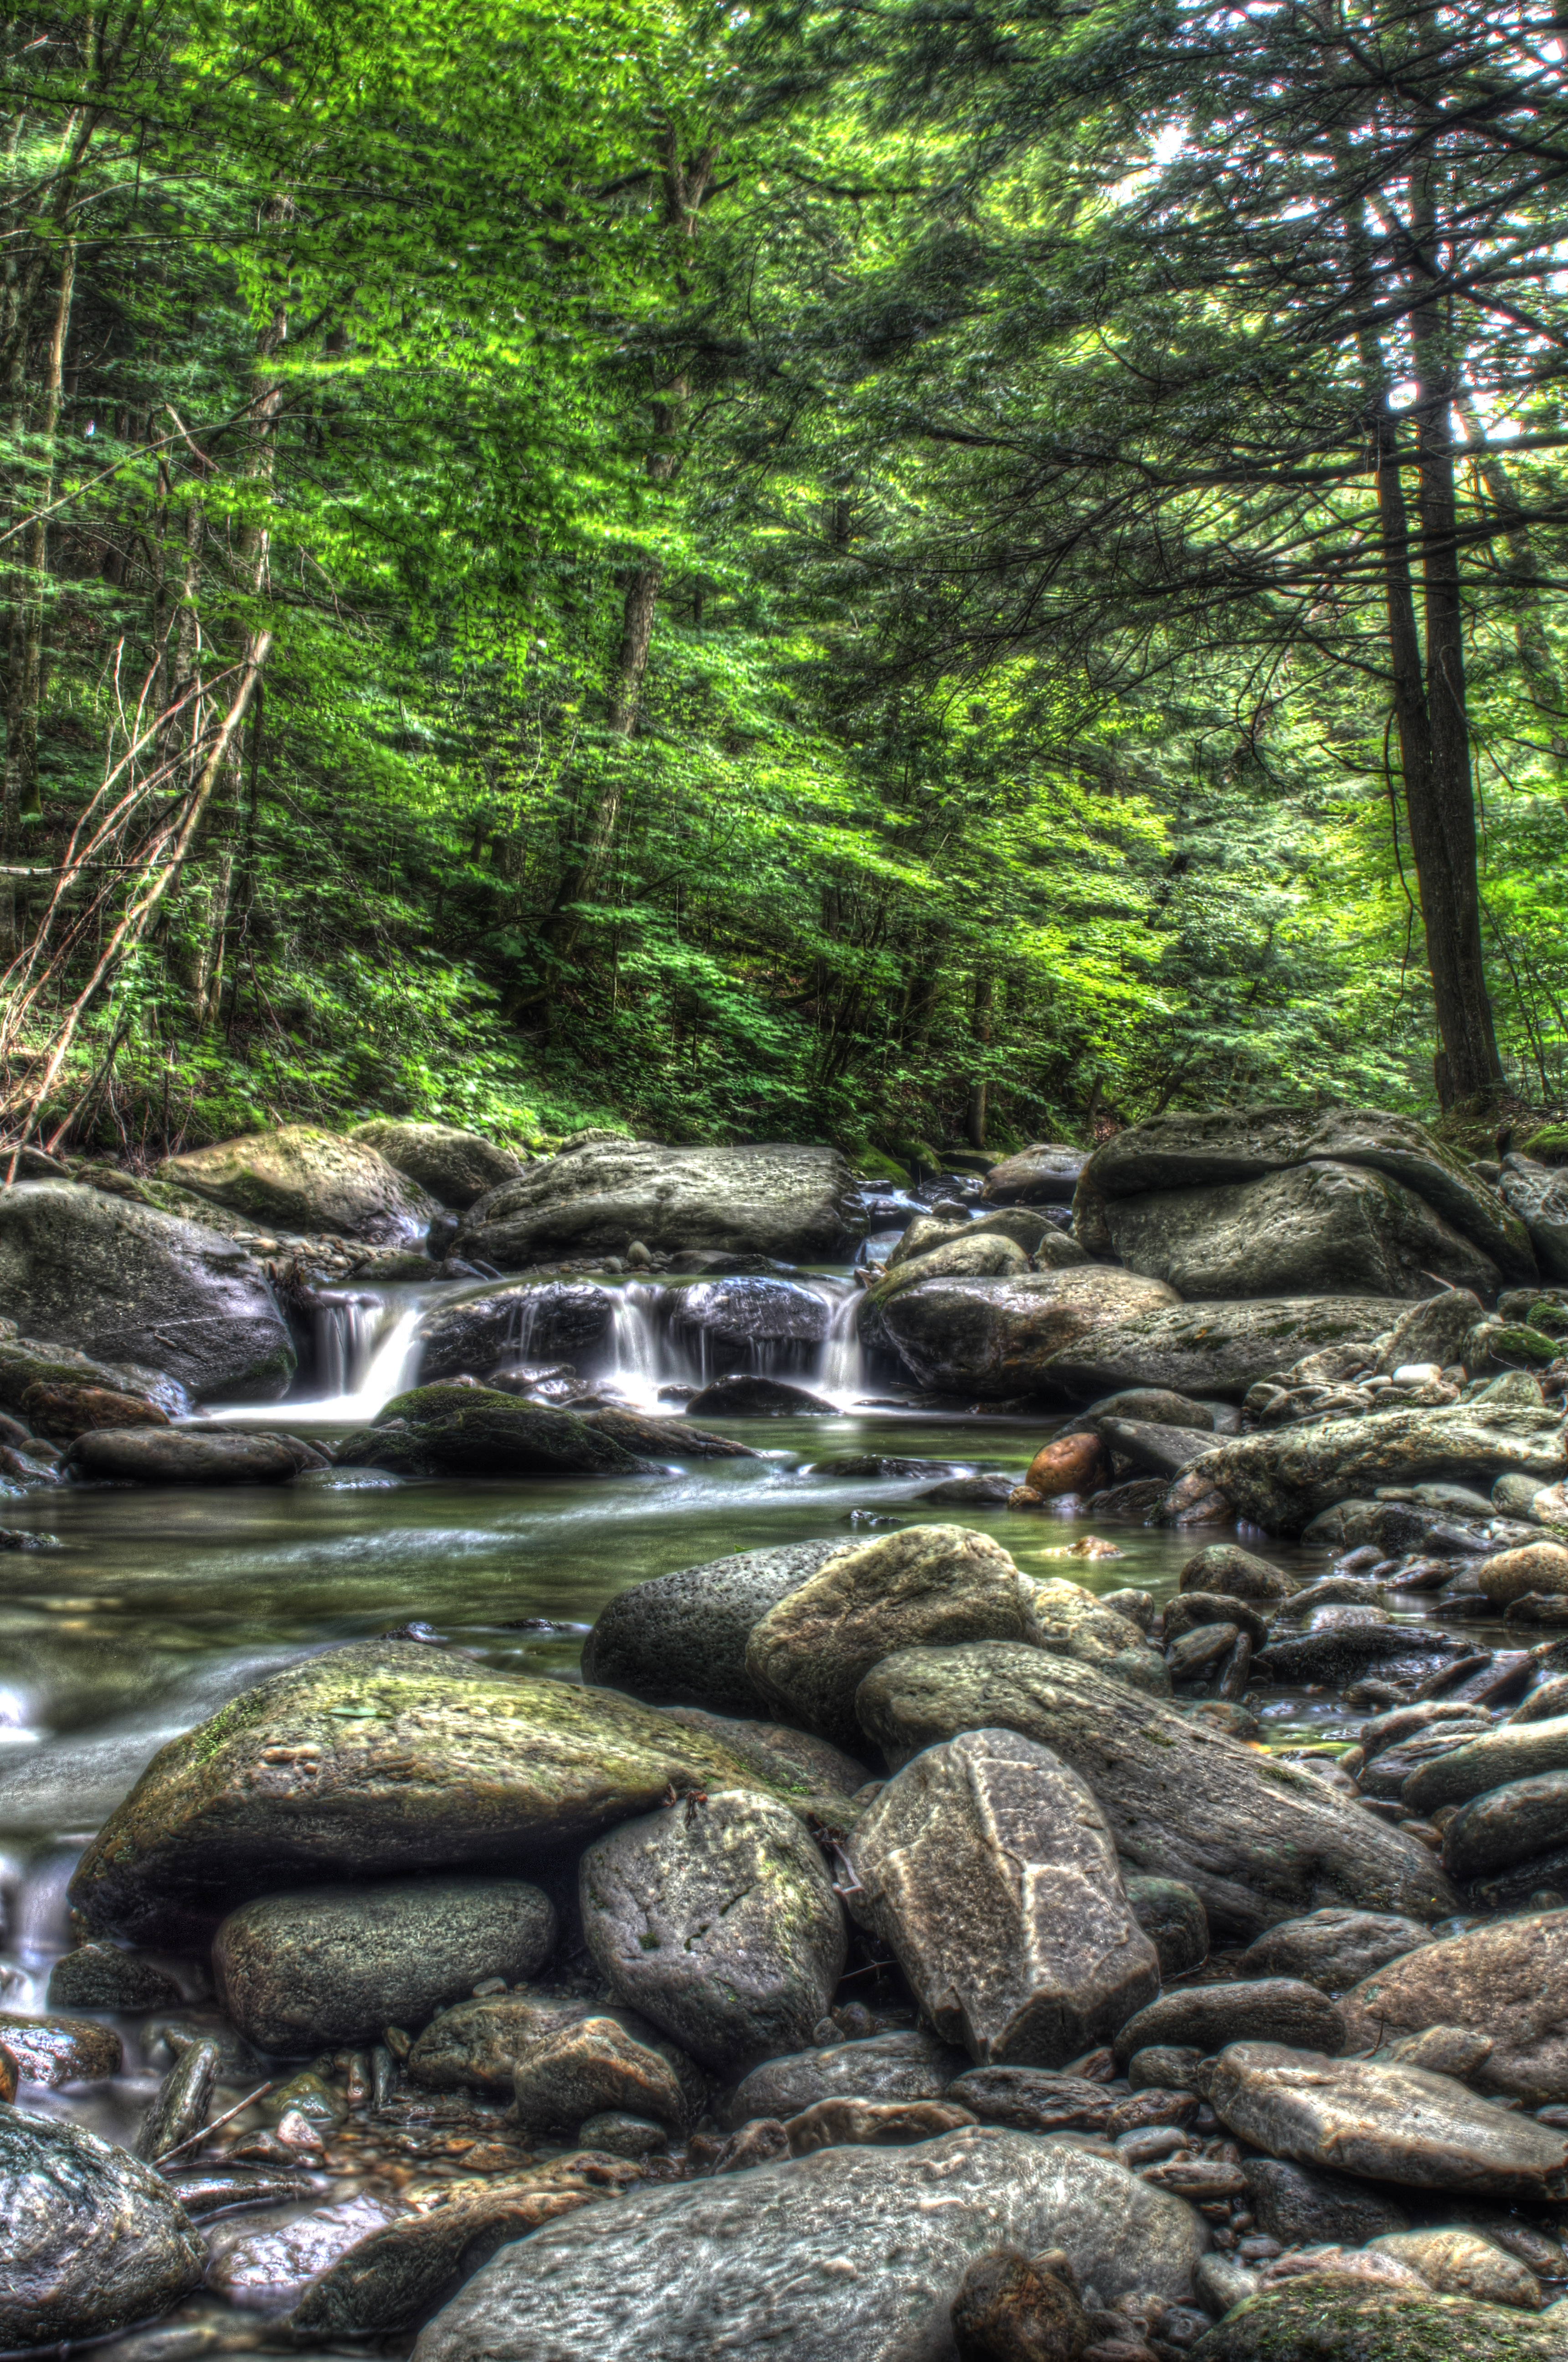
(1326, 1227)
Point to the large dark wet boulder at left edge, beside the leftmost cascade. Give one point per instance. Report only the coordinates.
(126, 1284)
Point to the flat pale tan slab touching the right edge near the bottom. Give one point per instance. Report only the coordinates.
(1383, 2122)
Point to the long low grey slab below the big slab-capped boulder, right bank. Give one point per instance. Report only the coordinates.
(1215, 1348)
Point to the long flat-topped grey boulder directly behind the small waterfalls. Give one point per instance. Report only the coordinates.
(596, 1201)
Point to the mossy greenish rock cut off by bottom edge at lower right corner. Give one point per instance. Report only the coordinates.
(1347, 2321)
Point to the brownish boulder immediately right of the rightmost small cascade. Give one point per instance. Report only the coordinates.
(998, 1338)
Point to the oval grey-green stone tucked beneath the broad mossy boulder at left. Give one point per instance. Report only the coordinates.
(332, 1966)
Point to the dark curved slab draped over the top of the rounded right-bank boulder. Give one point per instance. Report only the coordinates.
(1210, 1151)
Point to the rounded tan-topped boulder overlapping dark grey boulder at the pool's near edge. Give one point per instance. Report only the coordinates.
(920, 1588)
